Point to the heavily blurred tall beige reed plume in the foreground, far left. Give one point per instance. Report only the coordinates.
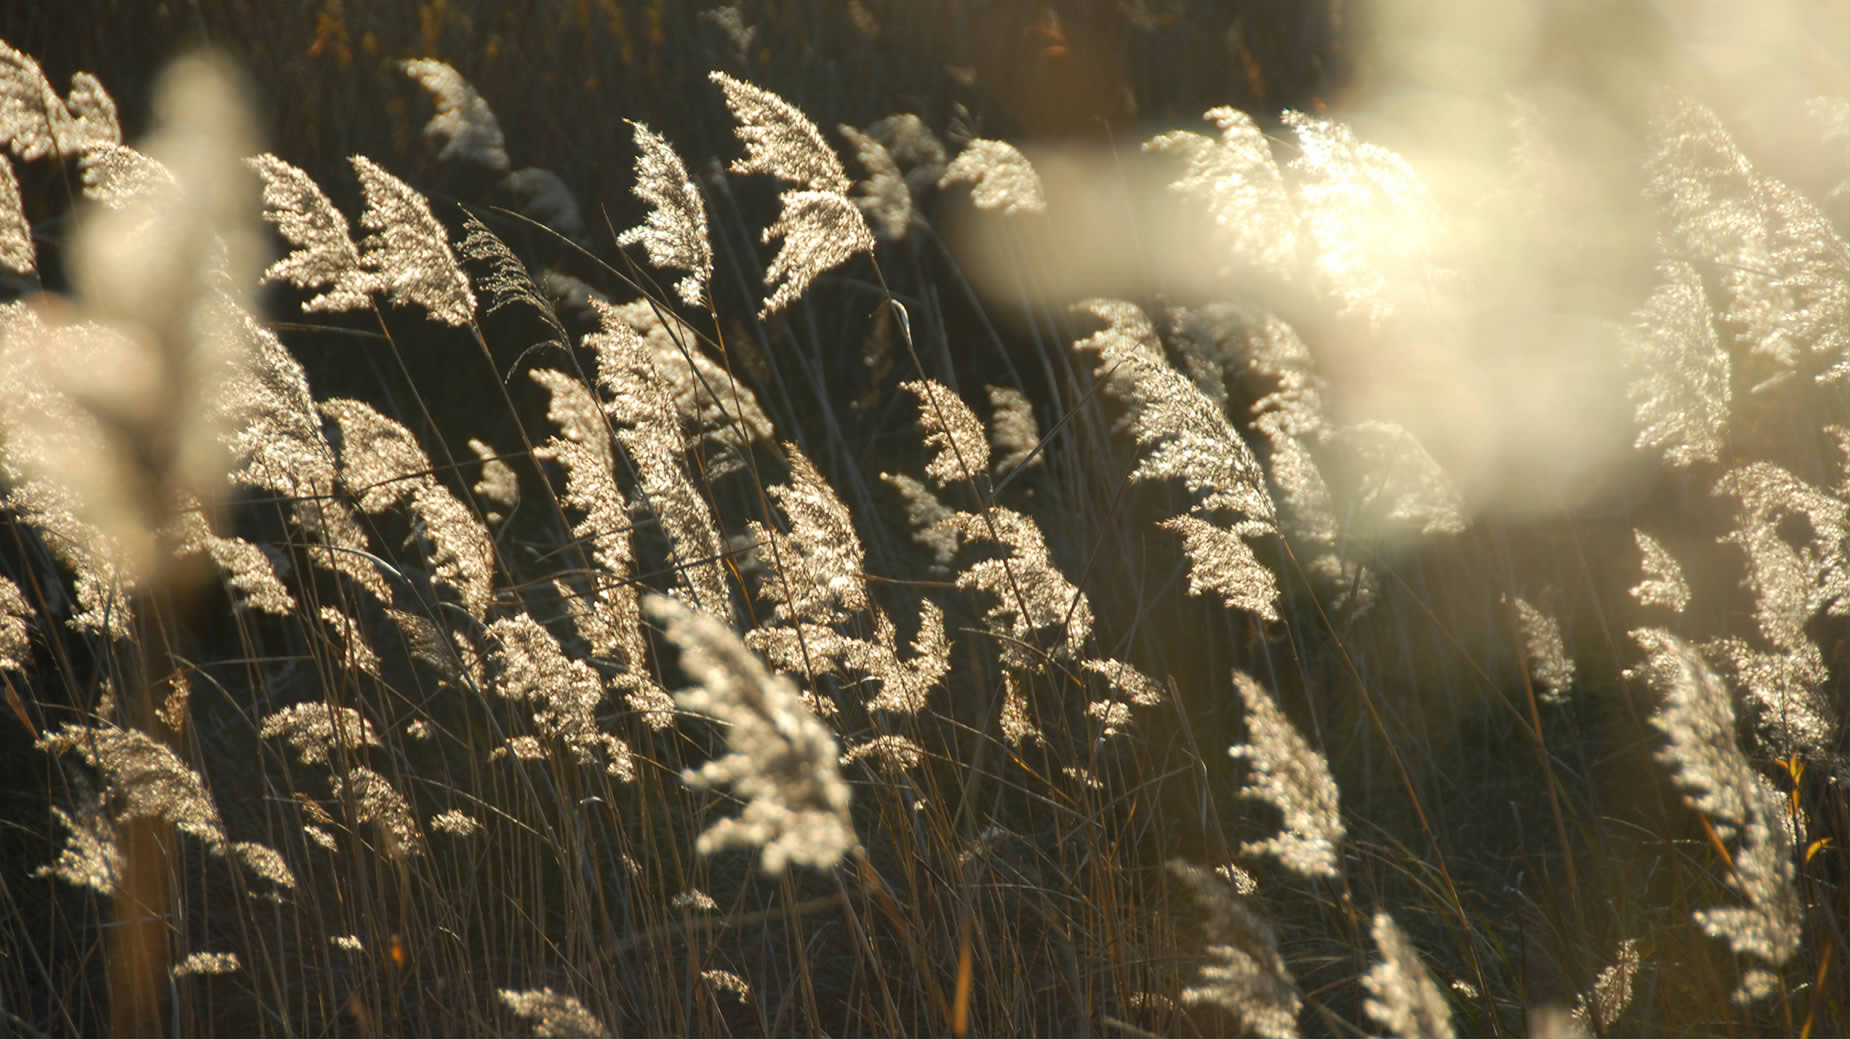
(110, 415)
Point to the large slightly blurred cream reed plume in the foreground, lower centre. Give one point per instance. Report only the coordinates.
(782, 759)
